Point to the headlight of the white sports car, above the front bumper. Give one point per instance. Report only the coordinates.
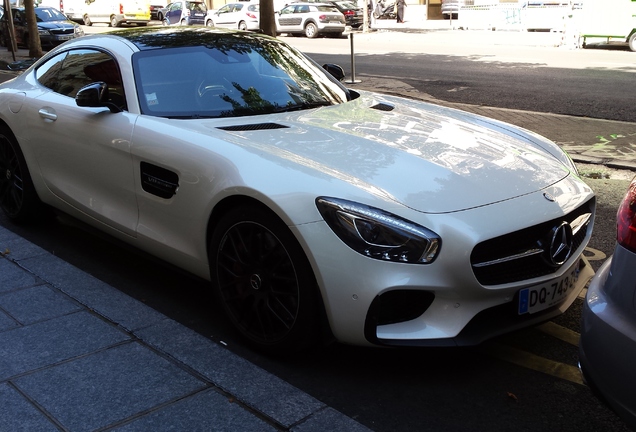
(379, 234)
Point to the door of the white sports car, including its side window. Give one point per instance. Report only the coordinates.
(84, 153)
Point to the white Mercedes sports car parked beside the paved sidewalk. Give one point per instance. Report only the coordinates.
(309, 206)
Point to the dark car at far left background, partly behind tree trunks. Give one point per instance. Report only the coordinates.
(54, 27)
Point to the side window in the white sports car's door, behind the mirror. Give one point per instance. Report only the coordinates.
(68, 72)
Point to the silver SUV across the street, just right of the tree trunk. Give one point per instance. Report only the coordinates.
(310, 19)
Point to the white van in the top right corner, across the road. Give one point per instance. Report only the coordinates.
(612, 20)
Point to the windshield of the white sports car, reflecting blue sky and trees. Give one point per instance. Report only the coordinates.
(233, 77)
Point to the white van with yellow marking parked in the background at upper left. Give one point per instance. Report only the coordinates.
(117, 12)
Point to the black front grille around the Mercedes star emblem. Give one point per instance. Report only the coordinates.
(524, 254)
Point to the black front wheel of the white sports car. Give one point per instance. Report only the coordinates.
(264, 281)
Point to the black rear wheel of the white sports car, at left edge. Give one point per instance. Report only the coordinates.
(18, 198)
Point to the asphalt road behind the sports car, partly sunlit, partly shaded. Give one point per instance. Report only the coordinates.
(497, 69)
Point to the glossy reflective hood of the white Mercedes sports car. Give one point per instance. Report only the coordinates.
(426, 157)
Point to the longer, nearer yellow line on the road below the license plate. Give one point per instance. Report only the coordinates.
(535, 362)
